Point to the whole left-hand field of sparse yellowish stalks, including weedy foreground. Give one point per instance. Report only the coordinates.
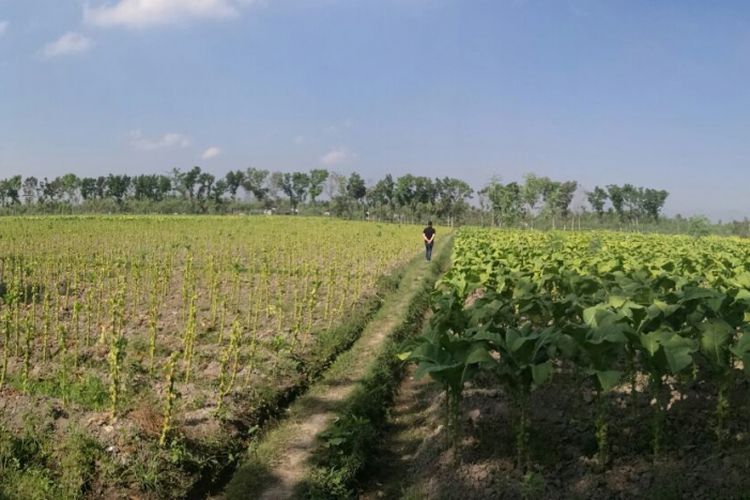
(132, 350)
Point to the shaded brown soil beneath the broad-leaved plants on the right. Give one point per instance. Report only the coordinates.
(417, 461)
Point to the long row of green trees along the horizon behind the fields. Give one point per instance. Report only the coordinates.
(408, 197)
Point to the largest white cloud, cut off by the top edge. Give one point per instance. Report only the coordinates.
(149, 13)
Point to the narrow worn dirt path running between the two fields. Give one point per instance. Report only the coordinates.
(291, 444)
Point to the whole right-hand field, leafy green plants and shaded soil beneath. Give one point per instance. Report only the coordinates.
(587, 365)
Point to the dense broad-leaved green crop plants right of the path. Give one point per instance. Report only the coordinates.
(611, 308)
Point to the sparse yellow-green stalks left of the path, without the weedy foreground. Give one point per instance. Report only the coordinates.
(177, 316)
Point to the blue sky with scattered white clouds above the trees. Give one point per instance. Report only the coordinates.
(652, 93)
